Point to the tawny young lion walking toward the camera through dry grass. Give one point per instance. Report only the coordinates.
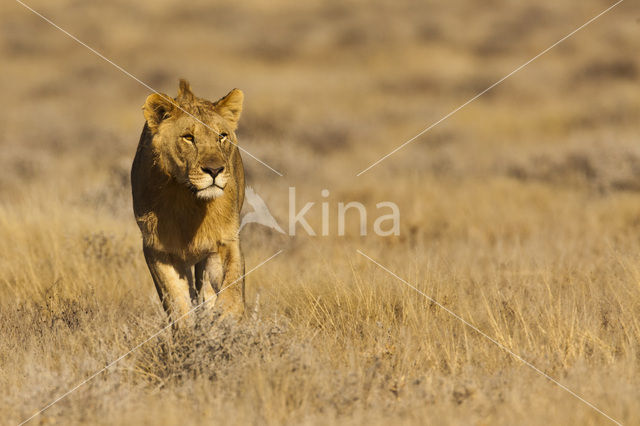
(187, 182)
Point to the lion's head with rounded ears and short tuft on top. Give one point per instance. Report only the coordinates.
(193, 139)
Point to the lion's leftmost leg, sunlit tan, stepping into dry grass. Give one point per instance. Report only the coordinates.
(172, 278)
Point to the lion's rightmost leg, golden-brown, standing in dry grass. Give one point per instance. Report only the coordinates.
(230, 301)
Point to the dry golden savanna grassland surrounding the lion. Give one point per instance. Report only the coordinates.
(521, 213)
